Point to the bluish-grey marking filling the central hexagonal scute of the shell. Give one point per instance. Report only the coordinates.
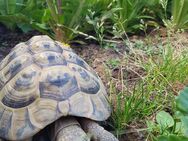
(59, 88)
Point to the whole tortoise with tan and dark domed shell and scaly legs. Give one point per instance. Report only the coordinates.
(44, 82)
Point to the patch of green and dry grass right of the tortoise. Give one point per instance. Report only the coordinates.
(154, 89)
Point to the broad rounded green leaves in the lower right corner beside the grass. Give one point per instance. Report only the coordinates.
(172, 128)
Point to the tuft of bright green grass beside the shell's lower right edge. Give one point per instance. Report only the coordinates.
(129, 106)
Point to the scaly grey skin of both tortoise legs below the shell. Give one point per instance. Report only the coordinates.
(69, 129)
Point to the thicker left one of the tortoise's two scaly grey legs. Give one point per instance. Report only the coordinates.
(68, 129)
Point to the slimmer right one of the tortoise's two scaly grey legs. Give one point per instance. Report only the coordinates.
(98, 133)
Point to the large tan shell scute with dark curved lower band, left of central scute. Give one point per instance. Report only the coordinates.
(22, 90)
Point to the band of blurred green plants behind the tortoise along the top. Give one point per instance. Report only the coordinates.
(101, 20)
